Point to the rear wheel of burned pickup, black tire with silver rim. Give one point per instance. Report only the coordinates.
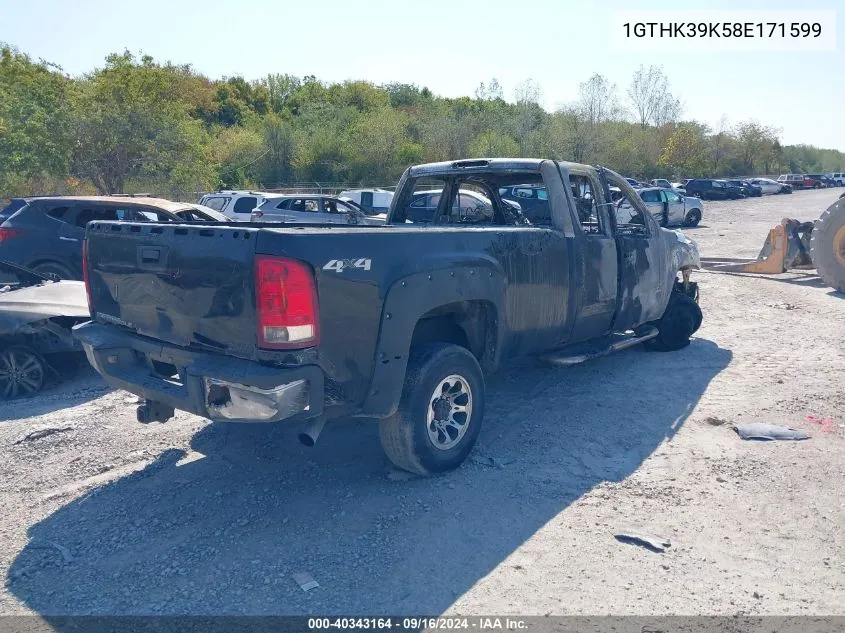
(406, 436)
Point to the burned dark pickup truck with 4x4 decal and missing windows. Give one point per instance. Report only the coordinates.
(398, 322)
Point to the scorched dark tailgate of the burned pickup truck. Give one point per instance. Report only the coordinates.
(188, 285)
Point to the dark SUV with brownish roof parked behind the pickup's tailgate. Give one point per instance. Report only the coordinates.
(45, 234)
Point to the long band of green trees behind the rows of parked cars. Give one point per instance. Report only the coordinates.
(139, 125)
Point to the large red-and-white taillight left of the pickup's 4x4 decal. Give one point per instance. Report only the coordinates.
(286, 303)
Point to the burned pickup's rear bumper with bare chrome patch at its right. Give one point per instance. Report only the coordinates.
(214, 386)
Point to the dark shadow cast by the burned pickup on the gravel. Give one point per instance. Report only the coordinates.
(224, 532)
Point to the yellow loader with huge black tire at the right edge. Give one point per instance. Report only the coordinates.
(796, 245)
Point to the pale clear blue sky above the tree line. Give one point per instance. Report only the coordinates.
(448, 45)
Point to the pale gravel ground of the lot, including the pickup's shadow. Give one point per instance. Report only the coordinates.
(112, 517)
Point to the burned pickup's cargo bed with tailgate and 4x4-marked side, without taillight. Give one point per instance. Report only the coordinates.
(193, 285)
